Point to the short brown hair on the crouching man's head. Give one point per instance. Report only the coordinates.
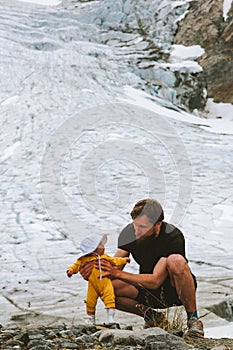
(149, 207)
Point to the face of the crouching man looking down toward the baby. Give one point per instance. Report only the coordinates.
(143, 227)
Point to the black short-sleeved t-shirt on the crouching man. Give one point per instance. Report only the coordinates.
(148, 251)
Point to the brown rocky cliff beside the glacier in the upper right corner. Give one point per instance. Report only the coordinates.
(206, 26)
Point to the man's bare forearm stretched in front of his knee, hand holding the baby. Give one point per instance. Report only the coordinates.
(151, 281)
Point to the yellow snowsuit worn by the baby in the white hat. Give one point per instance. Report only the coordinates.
(98, 287)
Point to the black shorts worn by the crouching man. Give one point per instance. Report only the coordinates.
(161, 298)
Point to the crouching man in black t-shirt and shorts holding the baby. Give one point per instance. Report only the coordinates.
(164, 277)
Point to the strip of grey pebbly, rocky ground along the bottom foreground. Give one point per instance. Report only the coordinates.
(62, 337)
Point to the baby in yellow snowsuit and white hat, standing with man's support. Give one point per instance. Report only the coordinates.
(92, 248)
